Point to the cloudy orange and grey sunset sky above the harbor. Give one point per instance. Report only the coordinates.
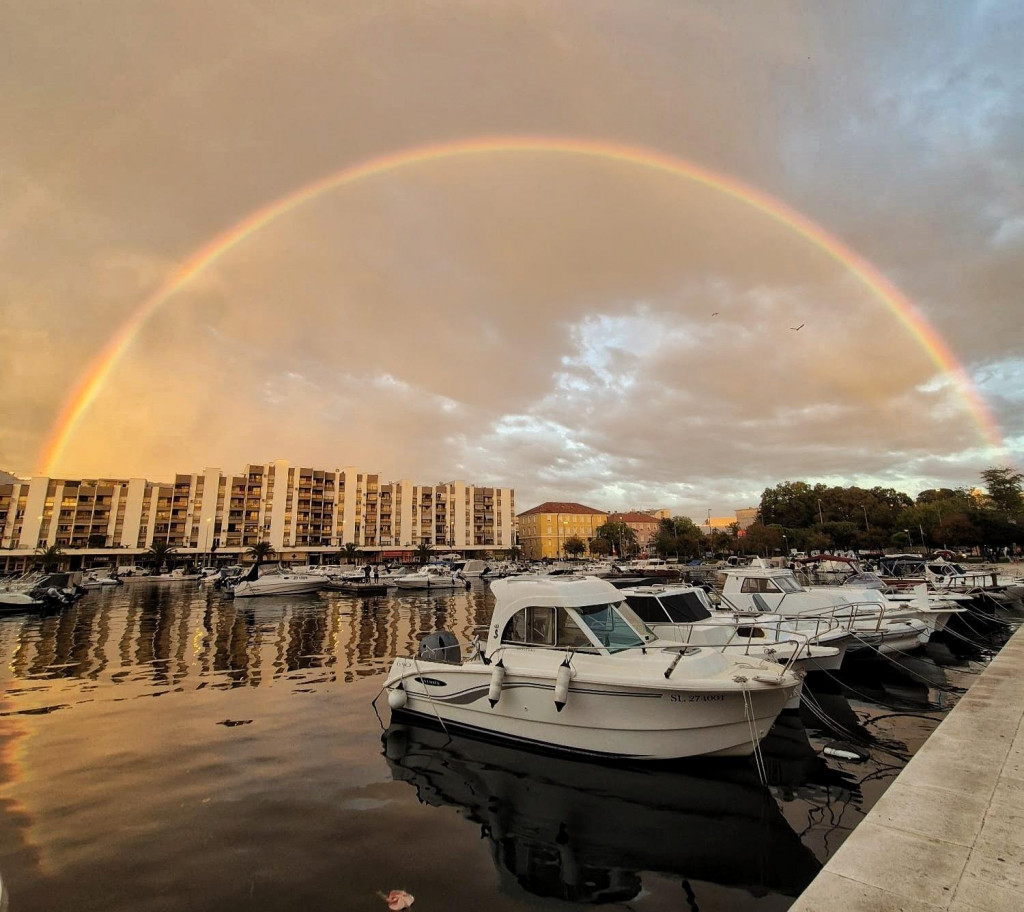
(576, 327)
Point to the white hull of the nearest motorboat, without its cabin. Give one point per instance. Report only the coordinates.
(618, 721)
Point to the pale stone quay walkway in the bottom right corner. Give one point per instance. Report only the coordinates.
(949, 834)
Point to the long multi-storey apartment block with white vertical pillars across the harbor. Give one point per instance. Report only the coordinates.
(302, 512)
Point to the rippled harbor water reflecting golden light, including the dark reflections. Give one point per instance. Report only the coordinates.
(165, 749)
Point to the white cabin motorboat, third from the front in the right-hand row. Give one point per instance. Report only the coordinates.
(875, 624)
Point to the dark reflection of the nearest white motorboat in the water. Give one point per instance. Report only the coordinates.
(584, 833)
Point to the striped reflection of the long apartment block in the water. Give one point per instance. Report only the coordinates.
(166, 636)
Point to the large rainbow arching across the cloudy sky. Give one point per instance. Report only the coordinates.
(93, 381)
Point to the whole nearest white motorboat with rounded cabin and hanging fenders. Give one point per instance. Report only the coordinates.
(569, 666)
